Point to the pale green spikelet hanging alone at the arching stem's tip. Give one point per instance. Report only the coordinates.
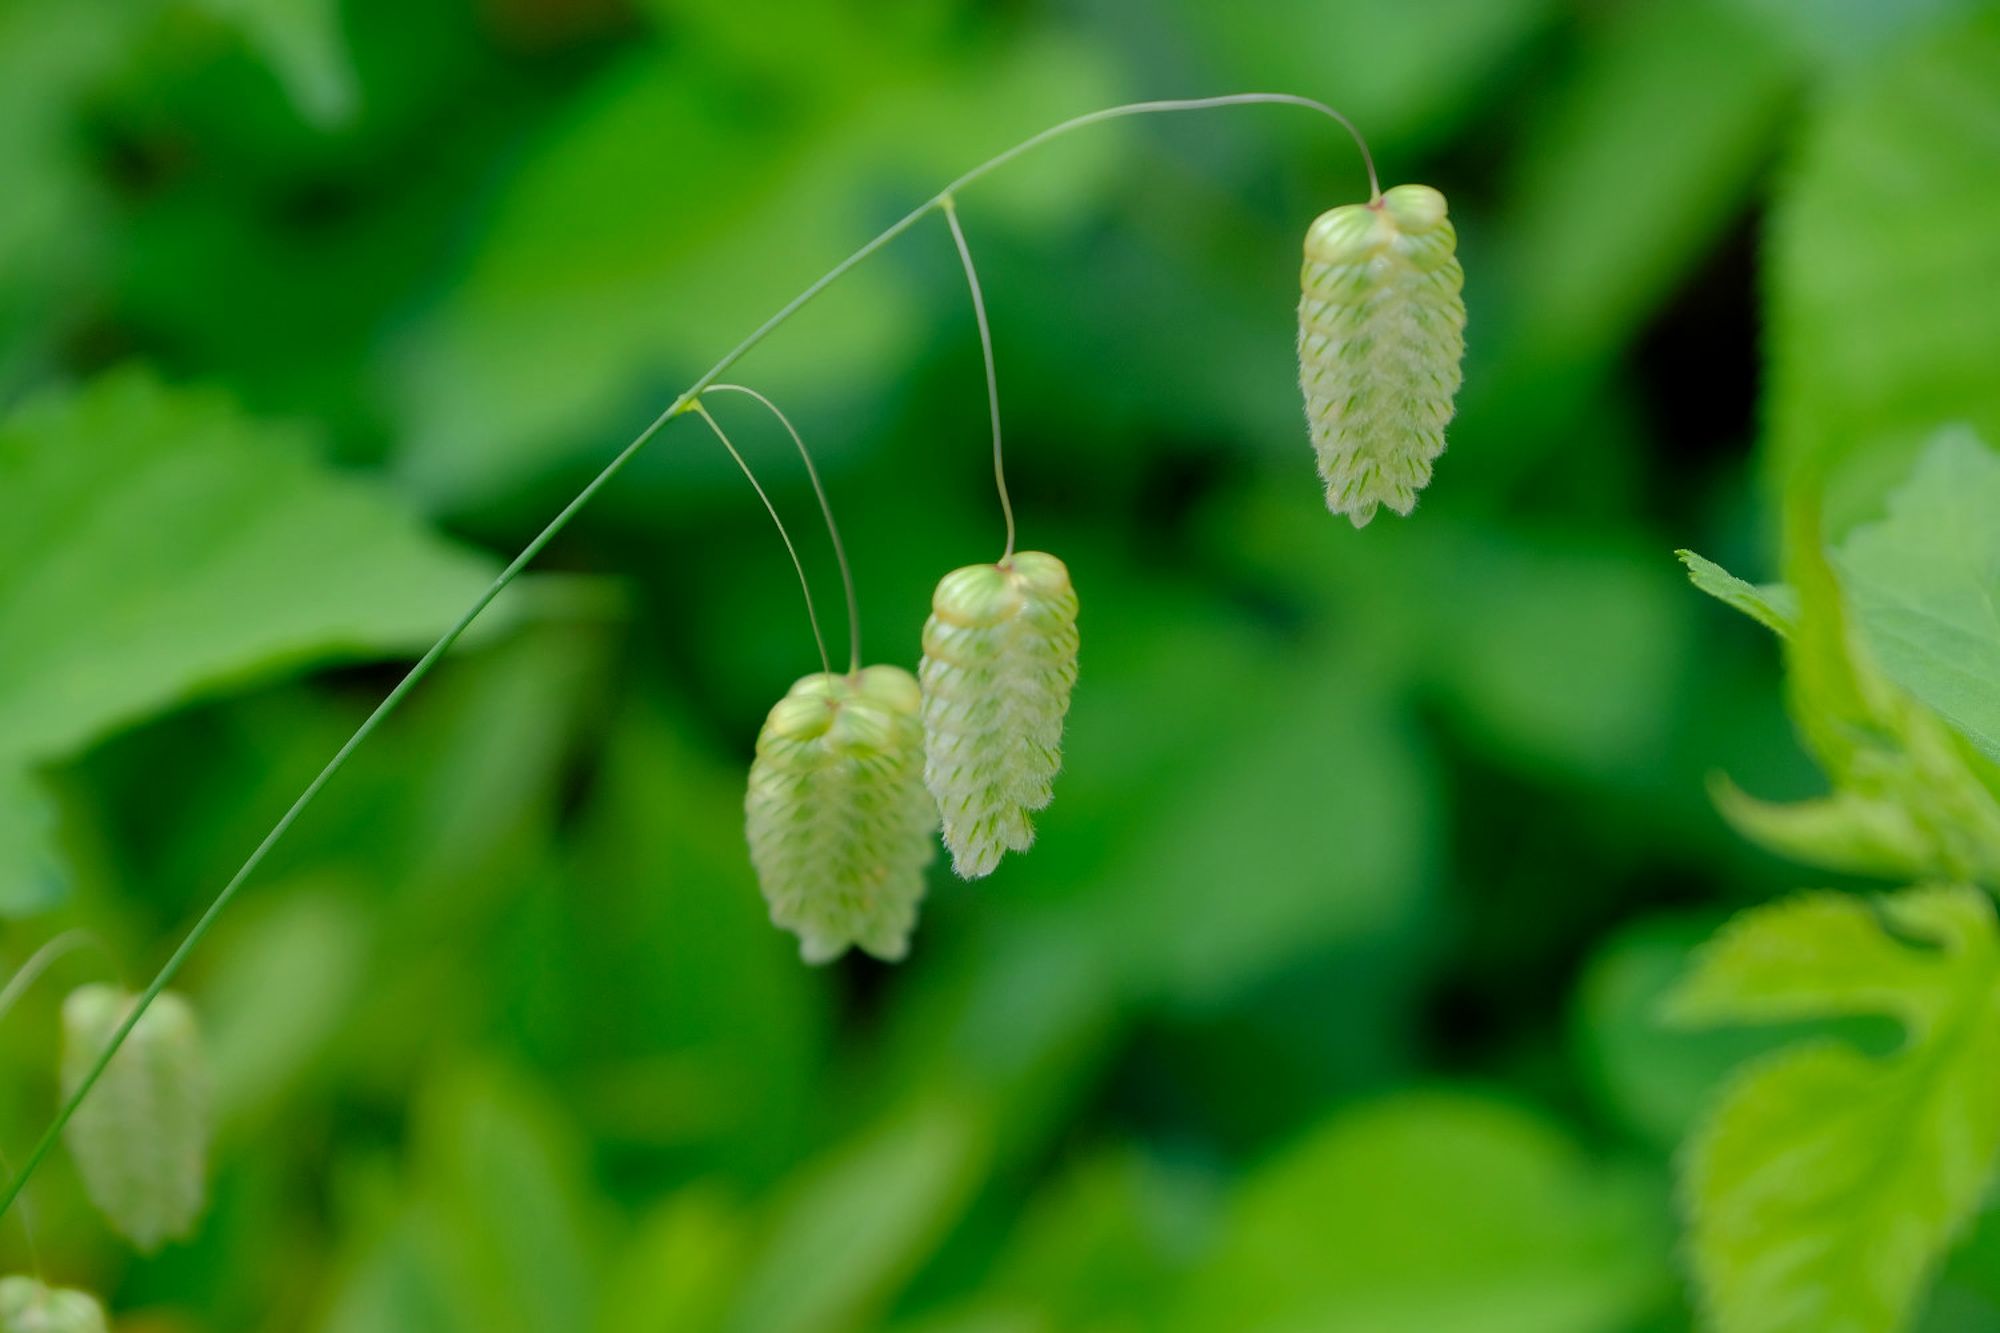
(1381, 331)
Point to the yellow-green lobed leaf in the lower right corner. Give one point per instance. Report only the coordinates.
(1827, 1184)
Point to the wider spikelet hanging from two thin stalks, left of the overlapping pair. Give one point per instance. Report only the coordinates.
(837, 814)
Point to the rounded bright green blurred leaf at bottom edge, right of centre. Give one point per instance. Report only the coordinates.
(1435, 1214)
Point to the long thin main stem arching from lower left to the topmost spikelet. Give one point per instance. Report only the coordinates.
(559, 523)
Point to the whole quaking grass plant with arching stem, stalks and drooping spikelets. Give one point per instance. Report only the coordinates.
(855, 770)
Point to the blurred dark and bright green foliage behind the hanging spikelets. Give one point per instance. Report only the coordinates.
(1325, 998)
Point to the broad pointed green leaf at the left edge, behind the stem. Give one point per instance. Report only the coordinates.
(157, 545)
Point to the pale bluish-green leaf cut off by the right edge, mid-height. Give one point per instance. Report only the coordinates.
(1925, 585)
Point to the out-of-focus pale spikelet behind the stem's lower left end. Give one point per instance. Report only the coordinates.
(141, 1138)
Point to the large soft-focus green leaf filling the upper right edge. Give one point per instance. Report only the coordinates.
(1883, 325)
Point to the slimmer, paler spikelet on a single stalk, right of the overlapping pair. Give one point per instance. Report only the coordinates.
(999, 668)
